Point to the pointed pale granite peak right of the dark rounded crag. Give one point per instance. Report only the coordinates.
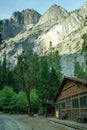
(53, 15)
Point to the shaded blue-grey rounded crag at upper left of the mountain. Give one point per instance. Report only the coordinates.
(19, 22)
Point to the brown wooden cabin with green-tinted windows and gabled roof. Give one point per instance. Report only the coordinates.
(71, 98)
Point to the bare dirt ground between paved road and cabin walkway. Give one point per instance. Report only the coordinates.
(36, 122)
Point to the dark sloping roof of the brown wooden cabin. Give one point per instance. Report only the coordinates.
(75, 79)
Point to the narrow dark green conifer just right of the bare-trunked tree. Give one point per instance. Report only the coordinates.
(42, 79)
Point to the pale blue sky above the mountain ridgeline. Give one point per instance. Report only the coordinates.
(7, 7)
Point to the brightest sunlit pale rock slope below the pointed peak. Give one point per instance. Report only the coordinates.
(59, 32)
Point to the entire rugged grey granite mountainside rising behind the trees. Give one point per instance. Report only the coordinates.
(28, 29)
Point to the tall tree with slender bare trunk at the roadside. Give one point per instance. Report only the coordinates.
(26, 70)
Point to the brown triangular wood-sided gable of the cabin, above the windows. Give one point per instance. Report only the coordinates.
(71, 89)
